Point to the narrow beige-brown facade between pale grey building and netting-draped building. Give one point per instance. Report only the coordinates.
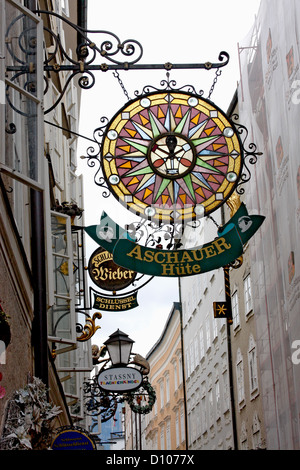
(247, 398)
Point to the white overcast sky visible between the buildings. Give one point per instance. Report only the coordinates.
(192, 31)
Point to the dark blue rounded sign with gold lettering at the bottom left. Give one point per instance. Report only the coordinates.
(72, 438)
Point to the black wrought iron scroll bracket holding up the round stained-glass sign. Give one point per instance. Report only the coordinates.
(111, 49)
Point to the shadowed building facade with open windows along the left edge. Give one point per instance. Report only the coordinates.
(42, 274)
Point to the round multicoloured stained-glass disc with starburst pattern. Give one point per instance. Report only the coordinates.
(171, 155)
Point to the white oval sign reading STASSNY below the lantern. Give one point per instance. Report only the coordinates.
(119, 379)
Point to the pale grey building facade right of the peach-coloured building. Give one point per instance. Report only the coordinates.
(209, 405)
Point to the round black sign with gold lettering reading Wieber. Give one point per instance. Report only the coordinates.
(106, 274)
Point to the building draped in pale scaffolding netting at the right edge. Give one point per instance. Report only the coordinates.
(268, 96)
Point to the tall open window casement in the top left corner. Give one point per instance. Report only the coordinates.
(21, 140)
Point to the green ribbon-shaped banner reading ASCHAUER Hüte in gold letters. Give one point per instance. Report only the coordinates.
(218, 253)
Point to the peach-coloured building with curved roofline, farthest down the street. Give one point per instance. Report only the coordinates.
(164, 427)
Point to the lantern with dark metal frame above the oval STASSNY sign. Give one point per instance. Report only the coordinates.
(119, 347)
